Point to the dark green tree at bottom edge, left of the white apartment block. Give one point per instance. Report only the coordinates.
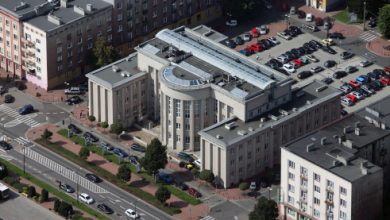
(265, 209)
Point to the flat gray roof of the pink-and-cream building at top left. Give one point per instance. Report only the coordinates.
(67, 15)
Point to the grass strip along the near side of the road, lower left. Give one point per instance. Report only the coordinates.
(53, 190)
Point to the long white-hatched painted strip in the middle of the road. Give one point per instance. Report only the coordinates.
(68, 174)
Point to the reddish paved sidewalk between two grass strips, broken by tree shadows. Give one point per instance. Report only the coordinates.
(196, 211)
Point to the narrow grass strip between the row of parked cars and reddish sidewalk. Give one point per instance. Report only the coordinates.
(98, 150)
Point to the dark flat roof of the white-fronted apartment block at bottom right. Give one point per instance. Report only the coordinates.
(325, 155)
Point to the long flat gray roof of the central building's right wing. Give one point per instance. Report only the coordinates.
(228, 137)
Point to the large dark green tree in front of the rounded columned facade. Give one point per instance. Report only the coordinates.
(155, 157)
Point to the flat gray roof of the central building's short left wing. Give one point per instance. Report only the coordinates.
(107, 77)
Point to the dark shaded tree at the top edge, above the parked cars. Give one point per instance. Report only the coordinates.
(242, 9)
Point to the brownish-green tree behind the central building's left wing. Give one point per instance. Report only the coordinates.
(103, 53)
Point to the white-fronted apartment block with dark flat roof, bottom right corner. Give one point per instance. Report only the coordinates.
(323, 179)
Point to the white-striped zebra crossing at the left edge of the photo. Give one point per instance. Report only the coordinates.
(6, 111)
